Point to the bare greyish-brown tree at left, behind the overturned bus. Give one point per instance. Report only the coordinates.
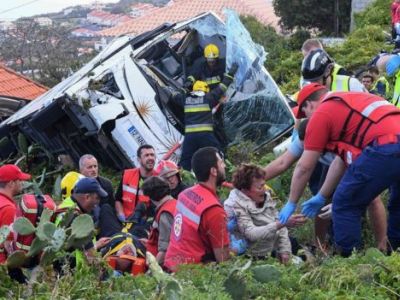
(47, 53)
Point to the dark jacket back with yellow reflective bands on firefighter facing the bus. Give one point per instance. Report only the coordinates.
(198, 115)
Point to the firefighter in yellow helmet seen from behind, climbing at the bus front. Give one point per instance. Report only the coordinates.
(199, 125)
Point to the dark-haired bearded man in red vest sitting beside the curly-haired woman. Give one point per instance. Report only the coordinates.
(199, 233)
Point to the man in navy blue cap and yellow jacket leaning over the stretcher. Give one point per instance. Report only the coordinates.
(85, 196)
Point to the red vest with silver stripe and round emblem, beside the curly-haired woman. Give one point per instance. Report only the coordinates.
(185, 245)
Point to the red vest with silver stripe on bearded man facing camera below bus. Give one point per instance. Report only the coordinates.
(131, 192)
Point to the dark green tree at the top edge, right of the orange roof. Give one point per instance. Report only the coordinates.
(330, 17)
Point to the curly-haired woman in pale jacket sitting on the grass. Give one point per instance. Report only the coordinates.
(257, 217)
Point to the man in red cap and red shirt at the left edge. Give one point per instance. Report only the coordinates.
(11, 178)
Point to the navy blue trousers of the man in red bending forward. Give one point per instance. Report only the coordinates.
(377, 168)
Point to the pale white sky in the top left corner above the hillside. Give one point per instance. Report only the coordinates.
(14, 9)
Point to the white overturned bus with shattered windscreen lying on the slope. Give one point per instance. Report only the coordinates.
(115, 103)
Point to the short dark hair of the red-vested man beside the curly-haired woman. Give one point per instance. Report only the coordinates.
(202, 161)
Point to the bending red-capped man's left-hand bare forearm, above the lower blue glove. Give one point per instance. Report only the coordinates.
(302, 174)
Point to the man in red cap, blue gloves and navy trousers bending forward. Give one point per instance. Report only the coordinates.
(363, 130)
